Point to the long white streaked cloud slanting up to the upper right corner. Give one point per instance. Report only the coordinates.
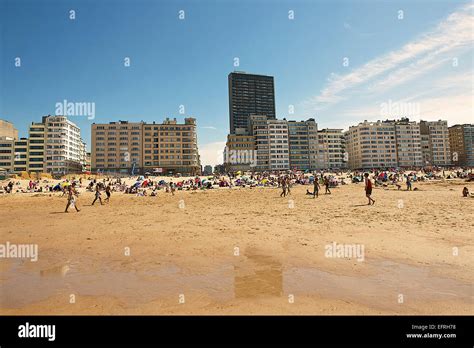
(420, 56)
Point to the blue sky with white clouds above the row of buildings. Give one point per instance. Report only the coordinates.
(340, 62)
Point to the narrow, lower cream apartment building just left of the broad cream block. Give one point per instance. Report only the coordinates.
(331, 149)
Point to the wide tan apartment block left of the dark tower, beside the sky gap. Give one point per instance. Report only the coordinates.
(123, 147)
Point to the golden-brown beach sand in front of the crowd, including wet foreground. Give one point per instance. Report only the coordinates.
(242, 251)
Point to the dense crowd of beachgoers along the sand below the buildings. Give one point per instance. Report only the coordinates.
(150, 186)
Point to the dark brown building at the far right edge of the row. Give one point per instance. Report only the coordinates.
(461, 141)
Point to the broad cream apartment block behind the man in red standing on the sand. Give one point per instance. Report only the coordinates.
(371, 145)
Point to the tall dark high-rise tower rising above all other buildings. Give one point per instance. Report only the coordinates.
(250, 94)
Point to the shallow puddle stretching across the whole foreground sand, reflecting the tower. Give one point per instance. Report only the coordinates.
(248, 277)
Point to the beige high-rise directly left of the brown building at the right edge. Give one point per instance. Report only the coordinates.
(435, 143)
